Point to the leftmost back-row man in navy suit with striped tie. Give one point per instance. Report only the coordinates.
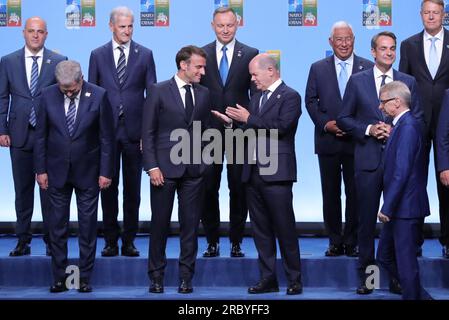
(23, 74)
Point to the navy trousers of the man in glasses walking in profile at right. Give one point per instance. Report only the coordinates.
(396, 252)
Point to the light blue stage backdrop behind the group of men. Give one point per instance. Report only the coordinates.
(265, 26)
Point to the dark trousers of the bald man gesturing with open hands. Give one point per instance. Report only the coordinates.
(271, 212)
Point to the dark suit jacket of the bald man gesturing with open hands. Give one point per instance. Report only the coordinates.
(281, 111)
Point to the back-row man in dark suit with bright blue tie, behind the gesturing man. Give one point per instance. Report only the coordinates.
(229, 83)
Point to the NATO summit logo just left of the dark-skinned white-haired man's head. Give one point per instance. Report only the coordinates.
(302, 13)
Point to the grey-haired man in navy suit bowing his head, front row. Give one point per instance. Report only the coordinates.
(73, 151)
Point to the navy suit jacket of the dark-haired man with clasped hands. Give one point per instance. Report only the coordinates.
(361, 108)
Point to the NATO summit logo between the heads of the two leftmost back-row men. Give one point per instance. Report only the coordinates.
(79, 13)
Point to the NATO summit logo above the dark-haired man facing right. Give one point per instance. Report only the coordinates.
(154, 13)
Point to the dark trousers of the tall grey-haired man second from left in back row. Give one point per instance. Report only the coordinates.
(129, 155)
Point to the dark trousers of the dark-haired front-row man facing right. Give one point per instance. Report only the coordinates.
(190, 201)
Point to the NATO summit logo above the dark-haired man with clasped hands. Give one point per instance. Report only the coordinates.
(376, 13)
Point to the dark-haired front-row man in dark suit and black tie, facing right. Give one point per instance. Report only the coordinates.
(179, 104)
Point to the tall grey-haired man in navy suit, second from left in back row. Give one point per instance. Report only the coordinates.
(126, 70)
